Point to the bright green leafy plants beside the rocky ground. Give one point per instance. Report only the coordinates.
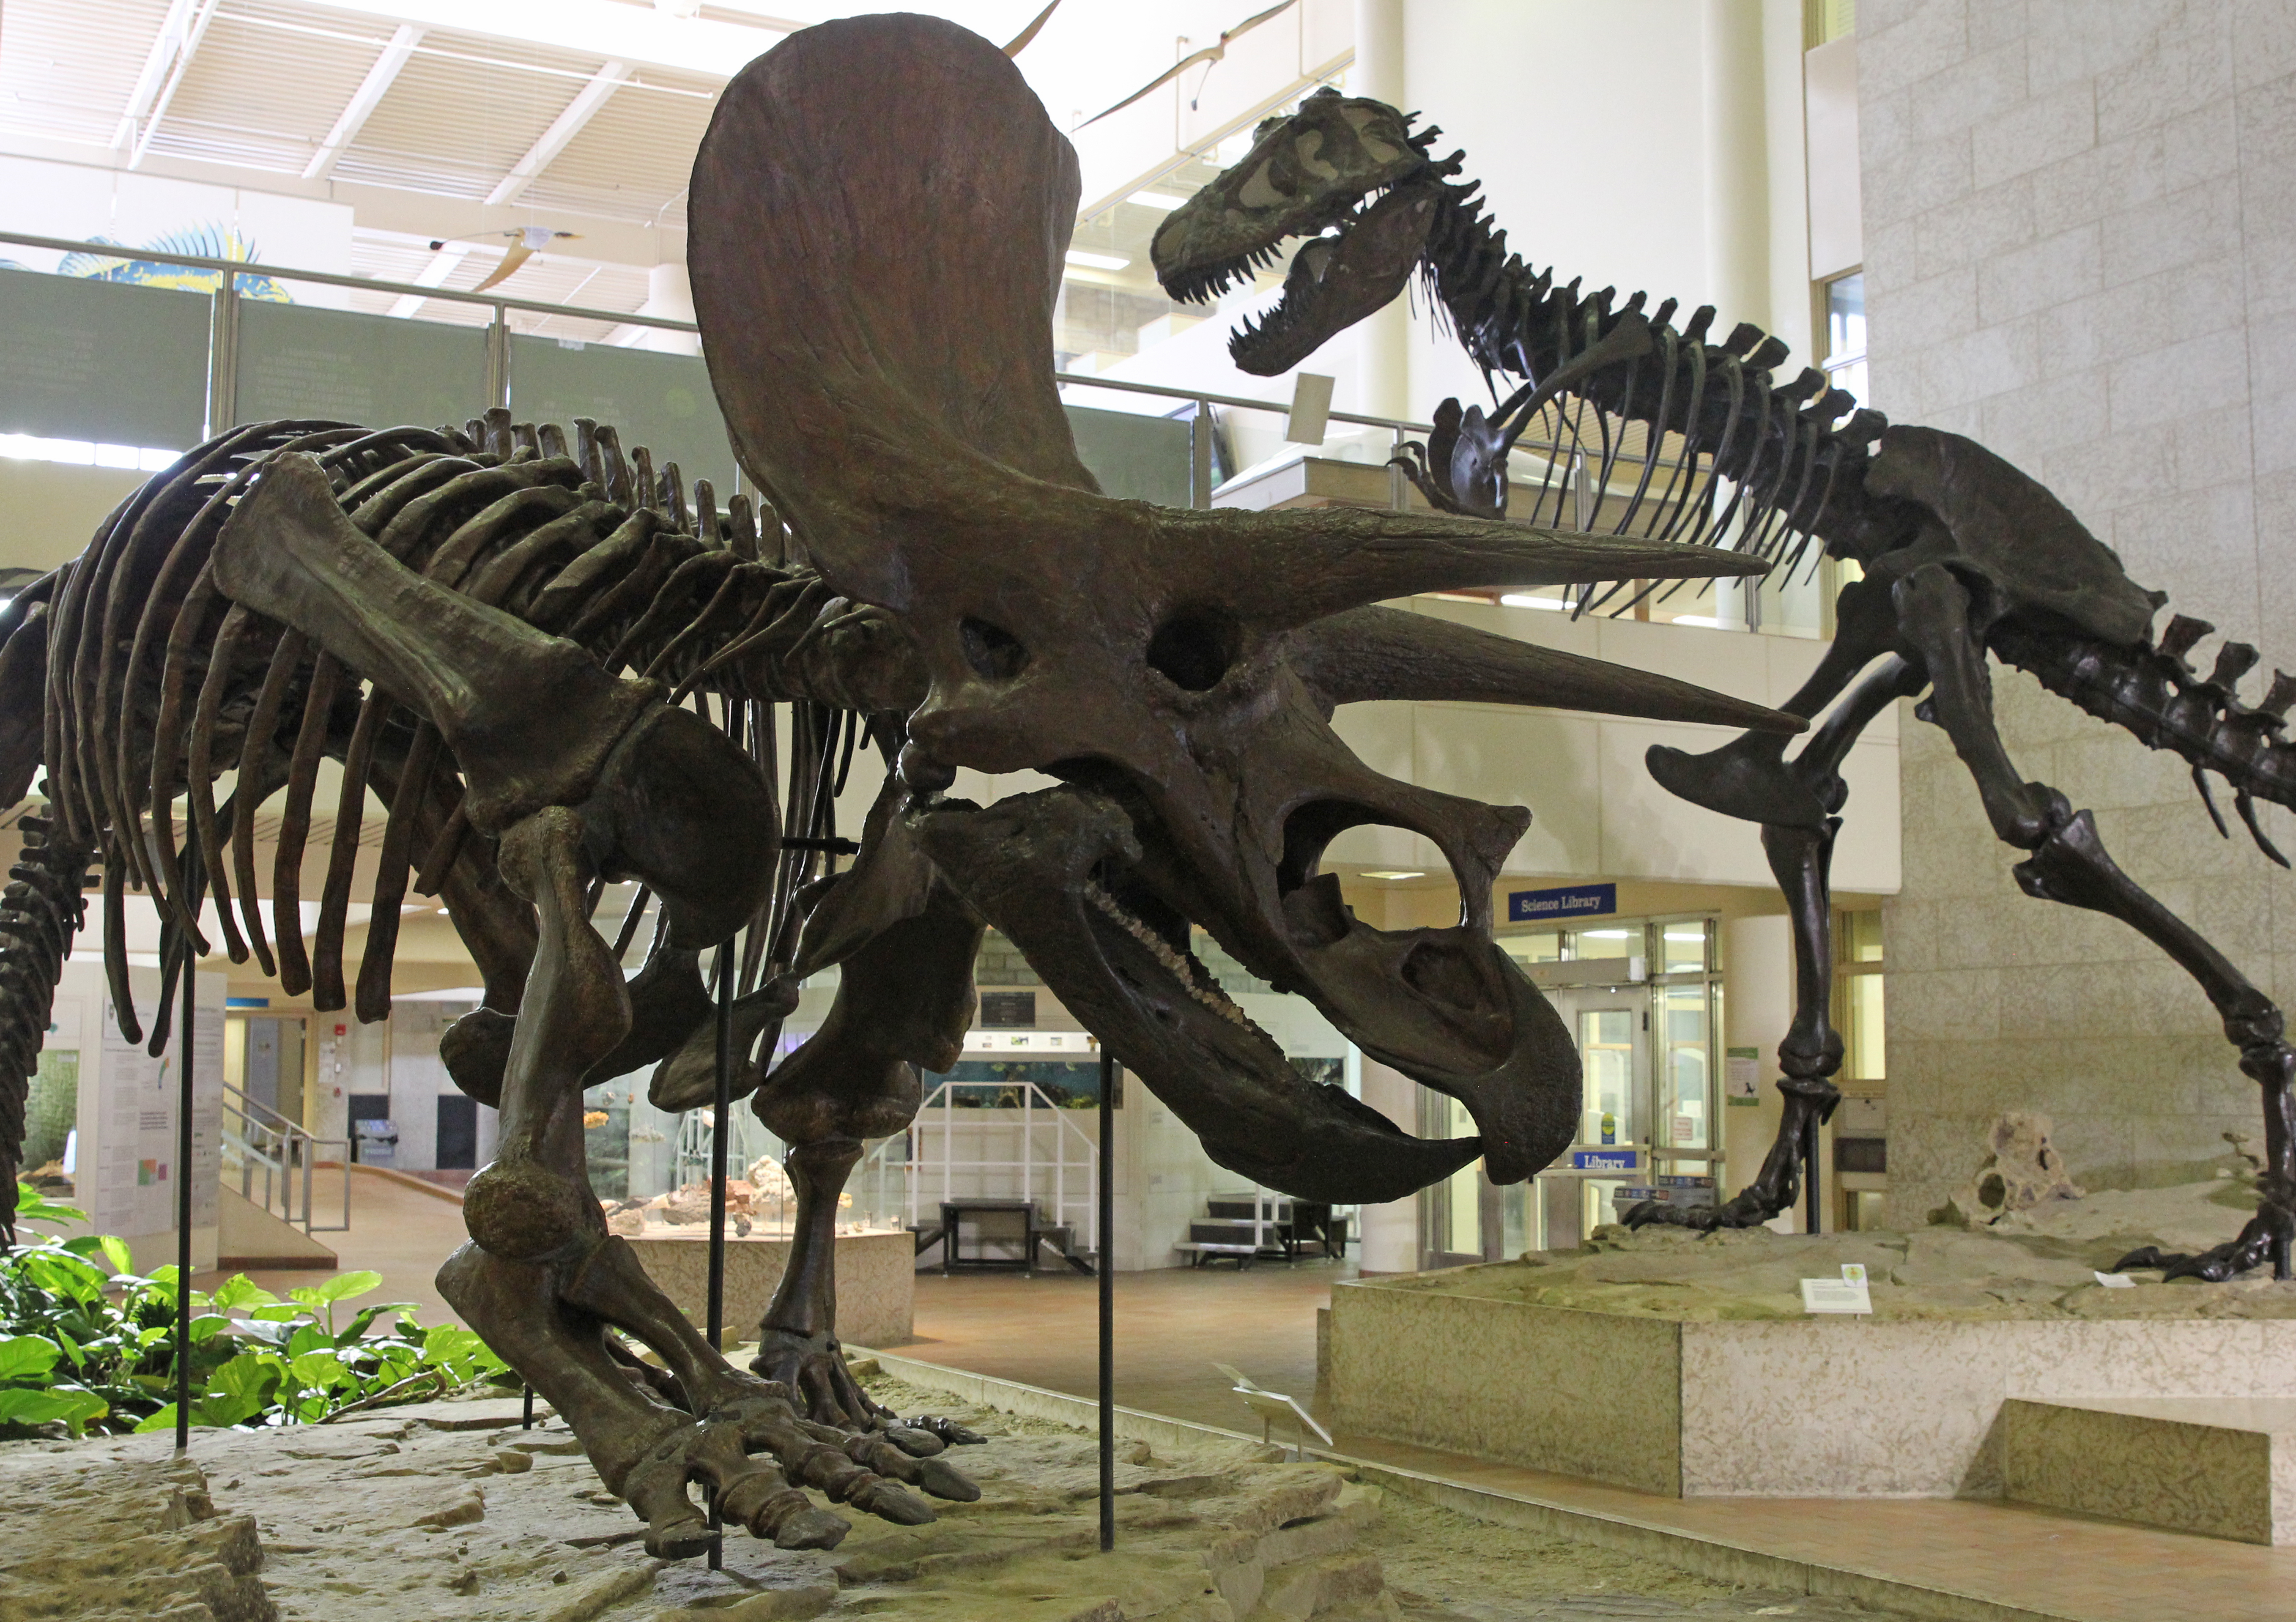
(91, 1345)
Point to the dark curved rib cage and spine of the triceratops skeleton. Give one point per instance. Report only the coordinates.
(171, 713)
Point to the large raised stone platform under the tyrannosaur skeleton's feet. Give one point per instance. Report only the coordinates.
(1684, 1364)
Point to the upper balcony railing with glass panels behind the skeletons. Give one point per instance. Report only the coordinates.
(118, 376)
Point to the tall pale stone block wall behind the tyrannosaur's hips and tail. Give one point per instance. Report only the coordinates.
(2081, 249)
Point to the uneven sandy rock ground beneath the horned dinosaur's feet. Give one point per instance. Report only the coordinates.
(453, 1513)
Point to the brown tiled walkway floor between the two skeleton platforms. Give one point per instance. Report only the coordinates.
(1978, 1559)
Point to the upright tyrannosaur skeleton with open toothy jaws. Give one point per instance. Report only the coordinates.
(1962, 555)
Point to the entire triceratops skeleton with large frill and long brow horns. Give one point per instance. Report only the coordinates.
(559, 677)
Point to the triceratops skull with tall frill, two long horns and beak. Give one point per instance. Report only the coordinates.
(876, 263)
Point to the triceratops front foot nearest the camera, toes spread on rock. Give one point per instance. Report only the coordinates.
(754, 1453)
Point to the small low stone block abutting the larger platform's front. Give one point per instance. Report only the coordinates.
(2189, 1465)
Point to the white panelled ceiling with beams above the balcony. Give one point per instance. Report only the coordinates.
(460, 118)
